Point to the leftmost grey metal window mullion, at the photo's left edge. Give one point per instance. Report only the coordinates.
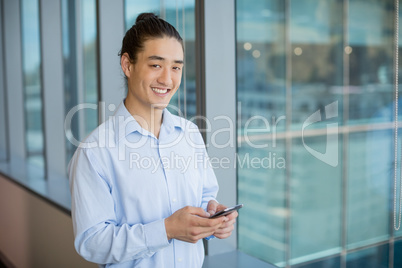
(14, 82)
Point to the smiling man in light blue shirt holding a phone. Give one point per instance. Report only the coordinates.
(141, 183)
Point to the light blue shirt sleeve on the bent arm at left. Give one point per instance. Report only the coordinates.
(98, 236)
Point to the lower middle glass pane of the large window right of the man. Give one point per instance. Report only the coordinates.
(316, 201)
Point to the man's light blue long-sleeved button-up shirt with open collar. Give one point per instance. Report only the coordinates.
(124, 182)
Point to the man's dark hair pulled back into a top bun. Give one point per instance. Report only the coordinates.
(147, 26)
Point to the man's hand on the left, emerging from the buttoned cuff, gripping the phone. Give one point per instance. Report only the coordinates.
(191, 224)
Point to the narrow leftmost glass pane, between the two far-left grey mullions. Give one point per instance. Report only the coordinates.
(31, 64)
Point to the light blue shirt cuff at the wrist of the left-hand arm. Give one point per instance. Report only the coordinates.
(155, 235)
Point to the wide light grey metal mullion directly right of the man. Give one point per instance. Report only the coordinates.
(220, 80)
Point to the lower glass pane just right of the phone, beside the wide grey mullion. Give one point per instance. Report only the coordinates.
(261, 186)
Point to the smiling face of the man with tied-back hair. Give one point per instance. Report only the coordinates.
(156, 75)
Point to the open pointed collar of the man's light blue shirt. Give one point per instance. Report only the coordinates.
(125, 123)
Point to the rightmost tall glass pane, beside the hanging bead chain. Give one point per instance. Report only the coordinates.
(370, 97)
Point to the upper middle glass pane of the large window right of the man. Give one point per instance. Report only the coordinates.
(316, 58)
